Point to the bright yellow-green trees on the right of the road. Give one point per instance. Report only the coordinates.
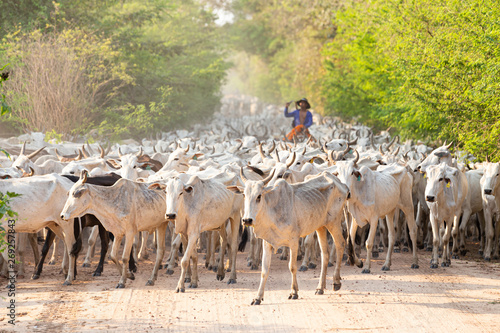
(427, 68)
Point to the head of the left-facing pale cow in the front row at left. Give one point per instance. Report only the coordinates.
(78, 199)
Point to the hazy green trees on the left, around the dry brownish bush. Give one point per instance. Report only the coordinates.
(134, 52)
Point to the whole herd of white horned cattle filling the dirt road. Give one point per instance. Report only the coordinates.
(235, 180)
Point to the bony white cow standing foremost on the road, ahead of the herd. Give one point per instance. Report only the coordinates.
(283, 213)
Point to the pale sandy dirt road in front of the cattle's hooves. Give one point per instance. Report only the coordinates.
(464, 297)
